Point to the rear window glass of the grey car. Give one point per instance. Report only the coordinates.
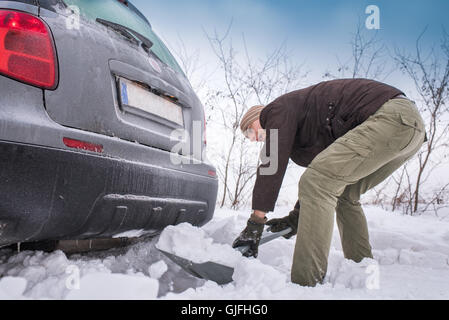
(124, 13)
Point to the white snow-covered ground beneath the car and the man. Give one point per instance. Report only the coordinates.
(411, 261)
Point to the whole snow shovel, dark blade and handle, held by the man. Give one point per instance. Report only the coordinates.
(217, 272)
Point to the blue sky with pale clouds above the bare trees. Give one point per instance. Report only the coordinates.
(315, 31)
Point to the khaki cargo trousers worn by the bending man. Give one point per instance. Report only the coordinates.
(334, 181)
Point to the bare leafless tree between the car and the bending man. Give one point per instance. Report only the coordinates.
(247, 80)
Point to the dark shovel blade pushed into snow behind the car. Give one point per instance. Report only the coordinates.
(216, 272)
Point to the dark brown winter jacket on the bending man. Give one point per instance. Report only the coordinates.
(309, 120)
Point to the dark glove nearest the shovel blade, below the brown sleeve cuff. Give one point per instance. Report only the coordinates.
(250, 236)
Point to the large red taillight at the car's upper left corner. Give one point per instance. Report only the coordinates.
(27, 51)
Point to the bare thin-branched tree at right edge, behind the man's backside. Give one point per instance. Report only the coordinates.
(429, 71)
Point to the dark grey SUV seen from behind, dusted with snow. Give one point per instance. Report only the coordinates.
(89, 100)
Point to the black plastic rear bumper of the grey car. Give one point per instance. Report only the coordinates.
(54, 194)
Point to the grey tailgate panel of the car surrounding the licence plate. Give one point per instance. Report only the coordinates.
(103, 55)
